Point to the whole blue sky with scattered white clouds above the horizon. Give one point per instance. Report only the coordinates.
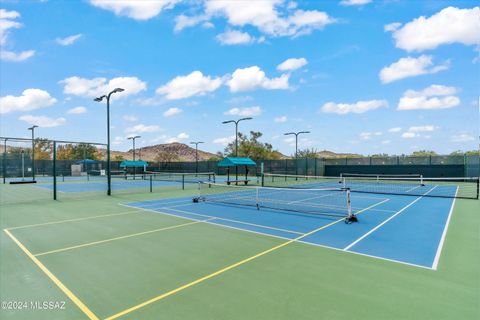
(366, 76)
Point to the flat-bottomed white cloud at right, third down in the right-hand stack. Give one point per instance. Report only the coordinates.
(432, 97)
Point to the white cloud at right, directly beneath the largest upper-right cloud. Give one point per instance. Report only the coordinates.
(410, 67)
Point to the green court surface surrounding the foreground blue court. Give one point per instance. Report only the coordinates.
(107, 261)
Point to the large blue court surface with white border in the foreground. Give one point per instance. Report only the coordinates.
(402, 229)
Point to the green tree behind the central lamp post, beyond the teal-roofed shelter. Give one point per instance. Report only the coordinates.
(251, 147)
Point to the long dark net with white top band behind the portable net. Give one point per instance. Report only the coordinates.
(463, 187)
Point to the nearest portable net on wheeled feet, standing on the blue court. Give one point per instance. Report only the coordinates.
(334, 202)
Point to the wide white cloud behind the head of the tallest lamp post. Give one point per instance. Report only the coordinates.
(99, 86)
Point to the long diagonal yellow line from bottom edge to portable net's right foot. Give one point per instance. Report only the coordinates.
(216, 273)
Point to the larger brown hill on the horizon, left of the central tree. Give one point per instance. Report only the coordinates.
(169, 151)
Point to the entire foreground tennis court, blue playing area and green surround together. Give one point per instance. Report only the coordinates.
(236, 252)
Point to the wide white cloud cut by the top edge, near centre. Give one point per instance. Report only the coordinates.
(275, 17)
